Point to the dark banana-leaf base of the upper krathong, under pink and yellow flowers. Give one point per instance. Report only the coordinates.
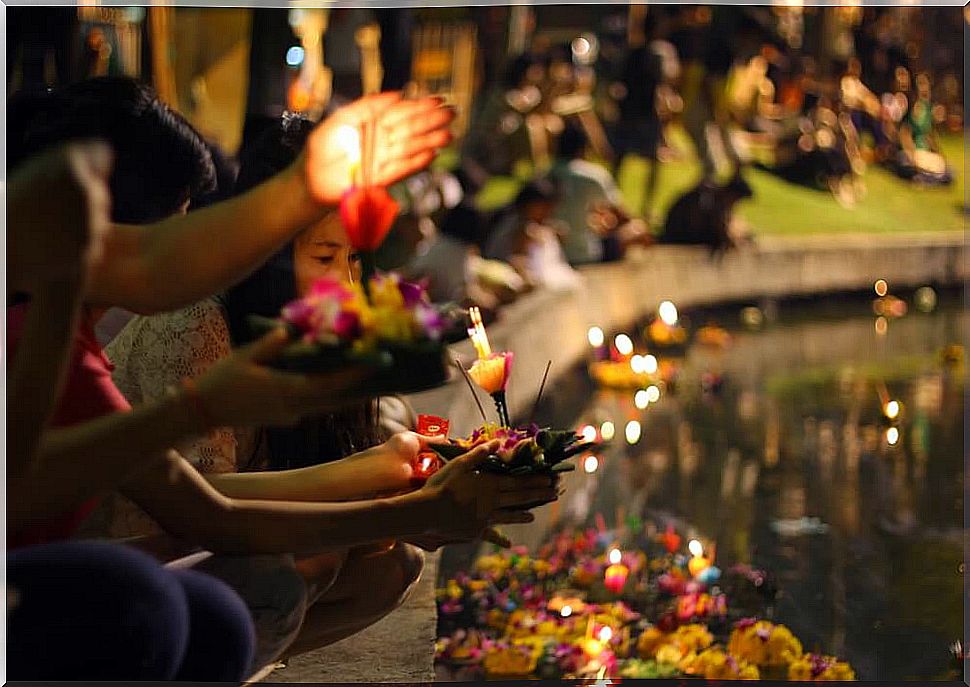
(397, 368)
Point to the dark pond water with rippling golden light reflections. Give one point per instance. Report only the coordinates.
(788, 466)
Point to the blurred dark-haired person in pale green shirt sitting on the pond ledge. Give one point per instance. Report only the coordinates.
(600, 227)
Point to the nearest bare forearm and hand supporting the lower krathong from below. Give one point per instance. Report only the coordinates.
(455, 502)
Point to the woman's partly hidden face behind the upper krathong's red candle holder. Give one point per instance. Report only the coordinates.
(323, 250)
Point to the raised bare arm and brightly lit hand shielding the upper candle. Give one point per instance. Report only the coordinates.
(182, 259)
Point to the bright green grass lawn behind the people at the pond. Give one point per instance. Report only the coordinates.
(778, 207)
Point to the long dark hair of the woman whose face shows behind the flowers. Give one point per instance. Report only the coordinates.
(265, 292)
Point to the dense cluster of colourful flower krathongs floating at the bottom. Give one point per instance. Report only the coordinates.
(585, 606)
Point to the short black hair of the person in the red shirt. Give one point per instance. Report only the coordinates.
(160, 161)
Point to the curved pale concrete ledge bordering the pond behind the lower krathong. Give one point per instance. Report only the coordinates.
(552, 326)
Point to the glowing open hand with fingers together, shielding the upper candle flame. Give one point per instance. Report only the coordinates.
(408, 136)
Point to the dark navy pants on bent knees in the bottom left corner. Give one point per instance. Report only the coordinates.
(99, 611)
